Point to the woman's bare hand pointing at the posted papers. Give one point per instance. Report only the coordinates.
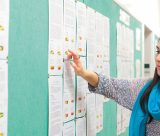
(76, 63)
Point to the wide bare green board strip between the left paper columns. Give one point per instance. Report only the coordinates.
(28, 68)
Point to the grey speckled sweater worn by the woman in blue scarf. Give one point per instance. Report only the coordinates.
(124, 92)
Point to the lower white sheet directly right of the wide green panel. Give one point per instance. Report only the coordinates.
(55, 105)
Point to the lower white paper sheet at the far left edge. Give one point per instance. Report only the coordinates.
(3, 97)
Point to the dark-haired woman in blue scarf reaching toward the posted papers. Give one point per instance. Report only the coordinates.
(139, 95)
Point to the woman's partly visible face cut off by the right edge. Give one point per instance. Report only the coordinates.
(158, 58)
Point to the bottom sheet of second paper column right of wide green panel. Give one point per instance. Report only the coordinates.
(69, 129)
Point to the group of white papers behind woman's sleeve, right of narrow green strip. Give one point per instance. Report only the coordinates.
(125, 58)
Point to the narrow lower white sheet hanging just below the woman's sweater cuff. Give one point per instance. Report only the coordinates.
(91, 115)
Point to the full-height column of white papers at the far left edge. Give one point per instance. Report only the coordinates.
(4, 34)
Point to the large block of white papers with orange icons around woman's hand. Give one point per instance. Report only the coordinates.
(74, 26)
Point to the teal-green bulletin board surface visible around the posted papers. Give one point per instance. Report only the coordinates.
(28, 66)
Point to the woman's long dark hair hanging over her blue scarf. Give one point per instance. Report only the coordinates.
(145, 96)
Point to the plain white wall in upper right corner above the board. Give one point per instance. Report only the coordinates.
(146, 11)
